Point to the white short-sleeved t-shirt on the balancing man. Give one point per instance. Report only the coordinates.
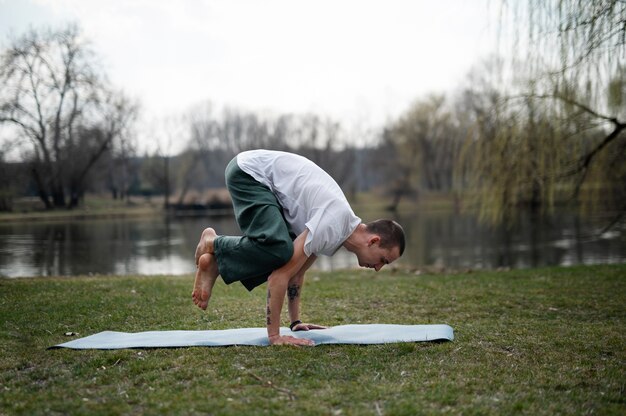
(309, 196)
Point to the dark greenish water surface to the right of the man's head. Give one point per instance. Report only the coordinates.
(459, 241)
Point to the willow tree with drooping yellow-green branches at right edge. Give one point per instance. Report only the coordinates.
(557, 130)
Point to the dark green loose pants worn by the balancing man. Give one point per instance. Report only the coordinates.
(266, 244)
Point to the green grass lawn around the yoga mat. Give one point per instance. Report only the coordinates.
(545, 341)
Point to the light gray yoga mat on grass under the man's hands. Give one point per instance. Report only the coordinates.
(344, 334)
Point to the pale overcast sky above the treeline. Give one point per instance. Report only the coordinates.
(357, 61)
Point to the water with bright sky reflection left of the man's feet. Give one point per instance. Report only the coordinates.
(153, 246)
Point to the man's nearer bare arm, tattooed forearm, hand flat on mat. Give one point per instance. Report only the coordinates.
(277, 284)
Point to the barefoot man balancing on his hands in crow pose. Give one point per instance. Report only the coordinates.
(289, 211)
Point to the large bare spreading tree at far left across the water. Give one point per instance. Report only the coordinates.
(66, 116)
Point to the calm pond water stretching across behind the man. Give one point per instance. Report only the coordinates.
(441, 239)
